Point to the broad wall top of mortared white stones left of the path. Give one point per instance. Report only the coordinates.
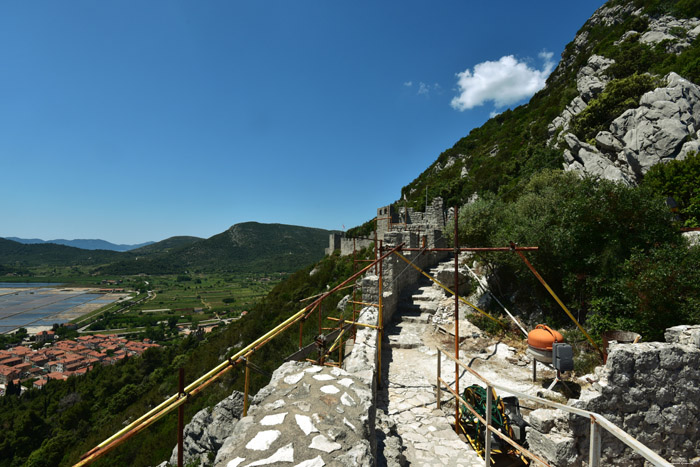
(307, 415)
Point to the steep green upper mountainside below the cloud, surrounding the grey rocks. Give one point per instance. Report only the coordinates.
(499, 156)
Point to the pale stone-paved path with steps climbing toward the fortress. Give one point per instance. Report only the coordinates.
(409, 370)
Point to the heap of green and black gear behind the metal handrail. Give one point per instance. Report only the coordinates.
(504, 418)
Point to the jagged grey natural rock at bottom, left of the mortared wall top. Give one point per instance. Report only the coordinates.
(207, 430)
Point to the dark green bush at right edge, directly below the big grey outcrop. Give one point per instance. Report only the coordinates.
(680, 180)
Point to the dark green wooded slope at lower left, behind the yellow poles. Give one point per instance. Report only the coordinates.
(55, 425)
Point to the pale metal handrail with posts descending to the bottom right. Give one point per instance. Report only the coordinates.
(597, 421)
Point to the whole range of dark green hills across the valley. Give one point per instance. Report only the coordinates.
(245, 247)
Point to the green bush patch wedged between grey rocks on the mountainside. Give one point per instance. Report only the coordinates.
(619, 95)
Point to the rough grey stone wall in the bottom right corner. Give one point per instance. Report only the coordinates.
(650, 390)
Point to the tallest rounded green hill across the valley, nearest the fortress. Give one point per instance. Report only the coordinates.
(246, 247)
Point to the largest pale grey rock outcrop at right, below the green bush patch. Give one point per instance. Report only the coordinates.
(664, 127)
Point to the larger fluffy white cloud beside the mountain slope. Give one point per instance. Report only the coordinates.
(504, 82)
